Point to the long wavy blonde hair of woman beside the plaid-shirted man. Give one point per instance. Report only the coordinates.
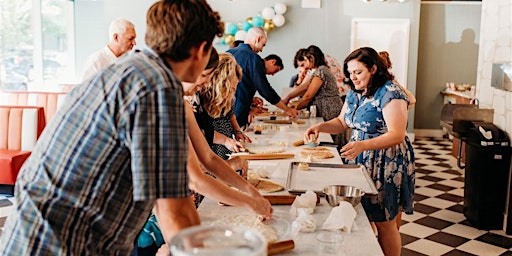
(217, 98)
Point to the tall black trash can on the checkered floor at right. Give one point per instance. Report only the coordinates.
(488, 155)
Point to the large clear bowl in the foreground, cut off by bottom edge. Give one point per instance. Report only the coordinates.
(218, 240)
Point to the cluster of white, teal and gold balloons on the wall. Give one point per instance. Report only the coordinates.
(269, 19)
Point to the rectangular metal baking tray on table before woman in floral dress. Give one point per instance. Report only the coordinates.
(320, 175)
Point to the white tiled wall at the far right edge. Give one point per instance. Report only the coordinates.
(495, 45)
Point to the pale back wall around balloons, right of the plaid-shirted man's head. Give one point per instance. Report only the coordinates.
(328, 27)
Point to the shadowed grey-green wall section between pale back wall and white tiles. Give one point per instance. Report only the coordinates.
(444, 55)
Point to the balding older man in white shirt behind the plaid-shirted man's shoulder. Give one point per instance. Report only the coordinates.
(122, 39)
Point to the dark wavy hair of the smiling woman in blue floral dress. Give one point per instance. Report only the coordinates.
(369, 57)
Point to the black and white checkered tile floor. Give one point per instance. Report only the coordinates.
(438, 226)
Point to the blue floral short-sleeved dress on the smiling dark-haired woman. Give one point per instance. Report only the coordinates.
(392, 169)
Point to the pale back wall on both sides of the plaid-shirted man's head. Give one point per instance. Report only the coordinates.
(328, 27)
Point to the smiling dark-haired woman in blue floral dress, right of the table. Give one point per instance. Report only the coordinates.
(376, 110)
